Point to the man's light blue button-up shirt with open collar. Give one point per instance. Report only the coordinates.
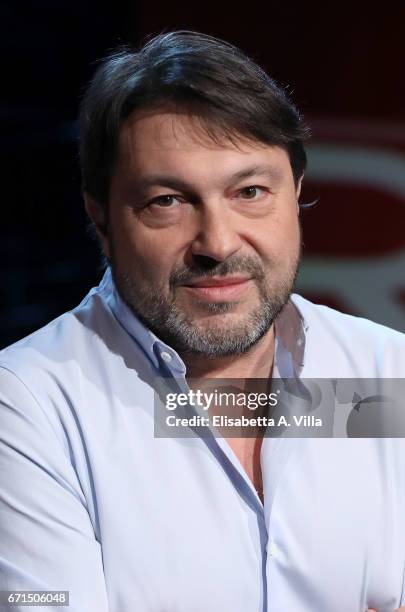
(93, 503)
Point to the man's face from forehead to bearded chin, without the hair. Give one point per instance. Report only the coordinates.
(204, 238)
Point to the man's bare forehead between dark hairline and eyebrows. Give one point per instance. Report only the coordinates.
(181, 142)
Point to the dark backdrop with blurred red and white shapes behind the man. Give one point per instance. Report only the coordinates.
(345, 71)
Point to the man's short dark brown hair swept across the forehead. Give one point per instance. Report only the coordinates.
(210, 78)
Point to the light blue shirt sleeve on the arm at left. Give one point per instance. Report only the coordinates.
(47, 540)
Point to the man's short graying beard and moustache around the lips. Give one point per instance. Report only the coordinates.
(163, 317)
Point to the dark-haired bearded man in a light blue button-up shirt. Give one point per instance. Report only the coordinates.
(192, 161)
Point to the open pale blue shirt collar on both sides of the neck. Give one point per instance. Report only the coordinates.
(290, 333)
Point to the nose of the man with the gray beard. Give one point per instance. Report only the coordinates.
(217, 234)
